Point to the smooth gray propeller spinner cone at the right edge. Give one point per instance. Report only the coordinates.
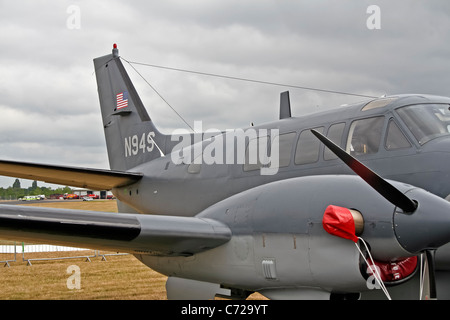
(428, 227)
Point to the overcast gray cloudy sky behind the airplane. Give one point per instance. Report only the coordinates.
(49, 110)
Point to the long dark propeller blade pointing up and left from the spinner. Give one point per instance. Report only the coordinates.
(384, 188)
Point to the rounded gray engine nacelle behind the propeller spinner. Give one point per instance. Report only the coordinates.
(291, 247)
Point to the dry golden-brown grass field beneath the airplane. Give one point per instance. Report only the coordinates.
(120, 277)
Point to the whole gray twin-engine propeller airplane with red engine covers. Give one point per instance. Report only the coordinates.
(303, 219)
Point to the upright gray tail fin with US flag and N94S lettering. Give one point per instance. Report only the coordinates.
(131, 136)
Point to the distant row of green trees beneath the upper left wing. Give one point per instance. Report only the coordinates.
(16, 191)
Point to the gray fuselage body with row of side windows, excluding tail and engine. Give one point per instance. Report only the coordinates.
(382, 138)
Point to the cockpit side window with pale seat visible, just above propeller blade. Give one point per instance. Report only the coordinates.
(364, 136)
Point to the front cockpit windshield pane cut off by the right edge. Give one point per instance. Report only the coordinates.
(426, 121)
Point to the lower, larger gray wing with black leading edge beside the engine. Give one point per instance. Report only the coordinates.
(132, 233)
